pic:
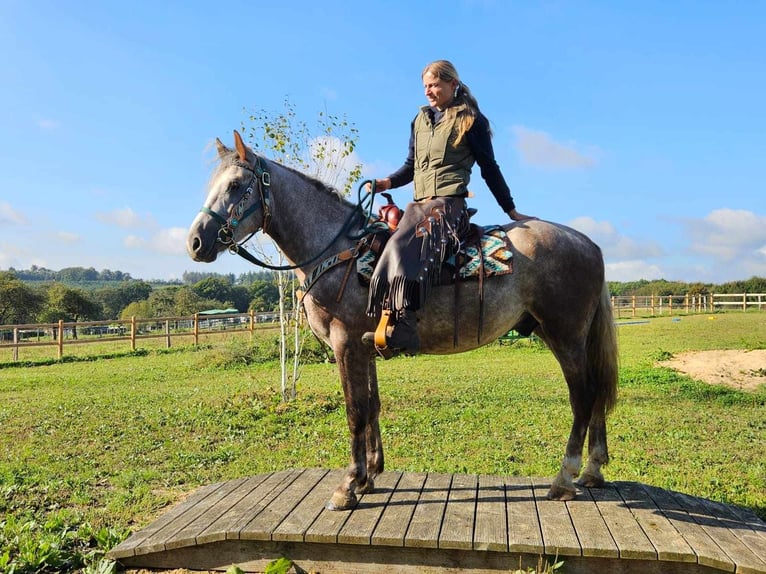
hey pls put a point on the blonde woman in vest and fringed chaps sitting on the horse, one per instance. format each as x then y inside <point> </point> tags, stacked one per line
<point>447,137</point>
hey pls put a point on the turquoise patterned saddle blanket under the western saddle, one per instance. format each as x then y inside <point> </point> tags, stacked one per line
<point>493,257</point>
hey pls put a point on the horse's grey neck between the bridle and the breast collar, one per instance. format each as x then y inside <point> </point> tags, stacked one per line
<point>305,220</point>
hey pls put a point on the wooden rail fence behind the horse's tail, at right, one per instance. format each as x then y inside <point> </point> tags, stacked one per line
<point>658,305</point>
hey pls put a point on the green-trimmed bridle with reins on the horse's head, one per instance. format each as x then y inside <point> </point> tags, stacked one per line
<point>260,181</point>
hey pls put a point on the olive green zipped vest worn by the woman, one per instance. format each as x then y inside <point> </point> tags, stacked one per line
<point>441,168</point>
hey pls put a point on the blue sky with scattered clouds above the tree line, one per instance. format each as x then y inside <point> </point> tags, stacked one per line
<point>639,123</point>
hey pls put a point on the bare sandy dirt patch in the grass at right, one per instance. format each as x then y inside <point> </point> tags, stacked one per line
<point>743,370</point>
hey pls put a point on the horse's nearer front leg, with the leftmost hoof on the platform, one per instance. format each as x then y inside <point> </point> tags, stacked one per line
<point>353,362</point>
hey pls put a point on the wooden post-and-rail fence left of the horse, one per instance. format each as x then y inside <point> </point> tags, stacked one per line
<point>194,327</point>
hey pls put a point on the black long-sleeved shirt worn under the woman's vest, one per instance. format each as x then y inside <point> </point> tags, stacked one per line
<point>479,142</point>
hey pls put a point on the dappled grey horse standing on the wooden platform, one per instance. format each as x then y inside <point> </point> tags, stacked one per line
<point>556,290</point>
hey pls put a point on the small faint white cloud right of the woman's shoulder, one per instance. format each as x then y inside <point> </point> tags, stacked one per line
<point>539,149</point>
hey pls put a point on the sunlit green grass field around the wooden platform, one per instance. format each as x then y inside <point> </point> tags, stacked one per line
<point>94,449</point>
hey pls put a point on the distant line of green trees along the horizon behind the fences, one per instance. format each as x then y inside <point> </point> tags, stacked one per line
<point>40,295</point>
